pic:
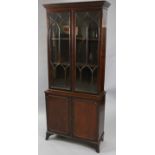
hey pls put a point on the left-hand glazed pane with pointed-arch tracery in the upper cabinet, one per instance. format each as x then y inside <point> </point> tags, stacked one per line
<point>59,37</point>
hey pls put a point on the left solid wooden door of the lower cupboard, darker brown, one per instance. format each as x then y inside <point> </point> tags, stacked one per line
<point>57,114</point>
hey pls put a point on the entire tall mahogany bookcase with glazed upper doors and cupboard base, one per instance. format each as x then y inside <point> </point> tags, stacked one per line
<point>75,99</point>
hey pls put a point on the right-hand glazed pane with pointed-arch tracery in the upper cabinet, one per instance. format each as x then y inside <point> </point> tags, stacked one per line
<point>87,40</point>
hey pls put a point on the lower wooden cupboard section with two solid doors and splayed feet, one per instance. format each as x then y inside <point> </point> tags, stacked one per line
<point>78,117</point>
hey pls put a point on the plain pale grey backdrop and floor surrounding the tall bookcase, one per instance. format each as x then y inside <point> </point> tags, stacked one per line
<point>64,146</point>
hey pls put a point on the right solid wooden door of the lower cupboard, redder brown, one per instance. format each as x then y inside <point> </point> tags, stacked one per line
<point>84,119</point>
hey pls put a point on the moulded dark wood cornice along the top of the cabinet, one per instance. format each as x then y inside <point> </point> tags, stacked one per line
<point>93,4</point>
